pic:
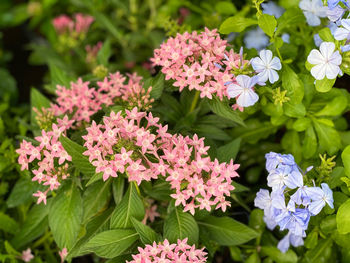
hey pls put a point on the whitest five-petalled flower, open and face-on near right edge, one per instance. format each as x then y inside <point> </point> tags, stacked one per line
<point>326,61</point>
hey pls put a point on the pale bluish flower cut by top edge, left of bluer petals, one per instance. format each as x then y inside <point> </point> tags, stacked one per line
<point>313,10</point>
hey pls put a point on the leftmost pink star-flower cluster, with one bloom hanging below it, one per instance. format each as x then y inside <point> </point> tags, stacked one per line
<point>50,160</point>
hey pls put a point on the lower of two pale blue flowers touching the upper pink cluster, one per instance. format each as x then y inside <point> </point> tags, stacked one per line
<point>243,90</point>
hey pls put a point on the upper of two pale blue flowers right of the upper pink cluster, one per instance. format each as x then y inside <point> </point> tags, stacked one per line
<point>266,66</point>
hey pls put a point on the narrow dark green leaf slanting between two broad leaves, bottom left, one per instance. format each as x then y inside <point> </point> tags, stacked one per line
<point>95,225</point>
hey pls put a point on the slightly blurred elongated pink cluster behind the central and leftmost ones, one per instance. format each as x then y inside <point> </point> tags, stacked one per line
<point>80,102</point>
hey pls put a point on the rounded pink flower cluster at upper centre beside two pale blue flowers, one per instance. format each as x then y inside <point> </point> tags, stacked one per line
<point>193,61</point>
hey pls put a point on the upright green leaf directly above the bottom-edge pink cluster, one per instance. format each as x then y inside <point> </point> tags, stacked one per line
<point>179,225</point>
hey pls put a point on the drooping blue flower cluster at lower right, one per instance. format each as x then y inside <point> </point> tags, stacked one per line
<point>291,203</point>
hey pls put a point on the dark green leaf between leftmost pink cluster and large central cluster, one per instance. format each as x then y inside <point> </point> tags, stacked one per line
<point>80,161</point>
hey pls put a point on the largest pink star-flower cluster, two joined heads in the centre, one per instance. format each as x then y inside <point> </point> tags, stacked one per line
<point>140,147</point>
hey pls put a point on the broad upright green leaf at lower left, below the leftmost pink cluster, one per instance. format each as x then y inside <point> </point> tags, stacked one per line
<point>65,217</point>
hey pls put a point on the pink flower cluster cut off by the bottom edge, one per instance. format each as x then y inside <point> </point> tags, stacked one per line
<point>170,253</point>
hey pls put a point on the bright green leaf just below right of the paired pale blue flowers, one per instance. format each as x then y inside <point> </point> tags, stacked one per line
<point>293,85</point>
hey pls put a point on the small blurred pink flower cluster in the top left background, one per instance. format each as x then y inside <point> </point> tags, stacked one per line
<point>64,24</point>
